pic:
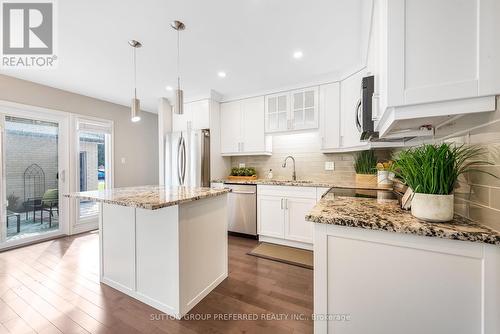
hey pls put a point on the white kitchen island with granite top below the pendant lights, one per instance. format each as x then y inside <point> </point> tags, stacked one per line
<point>165,246</point>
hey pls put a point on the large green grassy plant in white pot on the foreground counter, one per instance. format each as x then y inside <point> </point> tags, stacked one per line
<point>432,171</point>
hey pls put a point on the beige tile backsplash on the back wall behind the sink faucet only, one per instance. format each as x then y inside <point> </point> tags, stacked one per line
<point>310,162</point>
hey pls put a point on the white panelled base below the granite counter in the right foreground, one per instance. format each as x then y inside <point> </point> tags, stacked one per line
<point>394,283</point>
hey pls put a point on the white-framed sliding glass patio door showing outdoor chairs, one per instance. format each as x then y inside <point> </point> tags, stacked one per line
<point>34,153</point>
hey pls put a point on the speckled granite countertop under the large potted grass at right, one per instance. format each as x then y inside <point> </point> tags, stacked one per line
<point>369,213</point>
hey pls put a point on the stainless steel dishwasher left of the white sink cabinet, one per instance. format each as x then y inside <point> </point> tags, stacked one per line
<point>242,209</point>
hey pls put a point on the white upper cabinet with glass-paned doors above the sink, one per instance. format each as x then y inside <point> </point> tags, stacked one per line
<point>294,110</point>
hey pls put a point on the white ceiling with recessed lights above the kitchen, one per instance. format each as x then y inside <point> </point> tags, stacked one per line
<point>251,40</point>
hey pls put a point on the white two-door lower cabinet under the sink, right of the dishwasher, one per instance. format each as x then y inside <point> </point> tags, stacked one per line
<point>281,212</point>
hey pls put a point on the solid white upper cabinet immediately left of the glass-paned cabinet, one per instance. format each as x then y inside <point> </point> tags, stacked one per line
<point>242,128</point>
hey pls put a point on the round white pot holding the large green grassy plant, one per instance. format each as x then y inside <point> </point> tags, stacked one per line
<point>432,208</point>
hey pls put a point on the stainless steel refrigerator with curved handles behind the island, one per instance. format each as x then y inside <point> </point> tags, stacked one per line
<point>187,158</point>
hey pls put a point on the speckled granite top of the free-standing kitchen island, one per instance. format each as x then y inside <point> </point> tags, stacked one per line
<point>149,197</point>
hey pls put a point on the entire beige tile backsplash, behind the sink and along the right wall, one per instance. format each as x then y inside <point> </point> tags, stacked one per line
<point>476,197</point>
